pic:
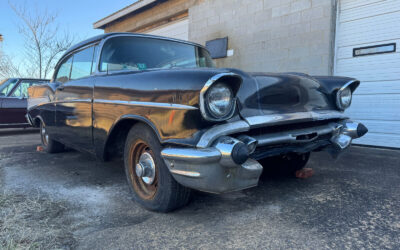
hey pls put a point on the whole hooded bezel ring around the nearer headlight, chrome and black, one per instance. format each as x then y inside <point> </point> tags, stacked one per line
<point>230,80</point>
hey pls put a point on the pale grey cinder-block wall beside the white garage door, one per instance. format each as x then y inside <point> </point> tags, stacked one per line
<point>269,35</point>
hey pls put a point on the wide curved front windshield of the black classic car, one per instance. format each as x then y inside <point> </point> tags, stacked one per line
<point>139,53</point>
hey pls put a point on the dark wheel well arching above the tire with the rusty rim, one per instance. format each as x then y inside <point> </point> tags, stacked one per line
<point>116,140</point>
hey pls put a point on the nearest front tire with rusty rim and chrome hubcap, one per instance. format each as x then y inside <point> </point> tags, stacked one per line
<point>149,179</point>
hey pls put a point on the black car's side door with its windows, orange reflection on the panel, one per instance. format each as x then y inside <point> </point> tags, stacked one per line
<point>74,100</point>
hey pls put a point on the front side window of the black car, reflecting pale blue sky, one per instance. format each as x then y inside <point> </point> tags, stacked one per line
<point>82,63</point>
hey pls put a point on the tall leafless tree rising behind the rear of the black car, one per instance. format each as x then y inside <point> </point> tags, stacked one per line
<point>44,42</point>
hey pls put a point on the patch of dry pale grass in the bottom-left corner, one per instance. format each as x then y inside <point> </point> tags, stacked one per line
<point>34,222</point>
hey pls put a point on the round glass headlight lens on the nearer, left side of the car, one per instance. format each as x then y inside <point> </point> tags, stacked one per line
<point>220,100</point>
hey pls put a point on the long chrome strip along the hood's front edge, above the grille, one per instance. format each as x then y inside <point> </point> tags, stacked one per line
<point>279,119</point>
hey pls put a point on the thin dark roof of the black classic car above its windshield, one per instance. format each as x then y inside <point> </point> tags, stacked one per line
<point>105,35</point>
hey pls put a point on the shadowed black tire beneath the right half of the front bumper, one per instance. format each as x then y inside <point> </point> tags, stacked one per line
<point>286,164</point>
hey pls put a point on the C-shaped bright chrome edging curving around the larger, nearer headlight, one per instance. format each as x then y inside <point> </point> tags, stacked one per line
<point>203,91</point>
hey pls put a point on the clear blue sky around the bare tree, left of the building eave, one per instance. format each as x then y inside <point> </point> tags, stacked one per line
<point>75,16</point>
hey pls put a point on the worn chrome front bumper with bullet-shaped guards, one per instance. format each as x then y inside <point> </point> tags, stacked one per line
<point>225,165</point>
